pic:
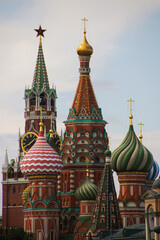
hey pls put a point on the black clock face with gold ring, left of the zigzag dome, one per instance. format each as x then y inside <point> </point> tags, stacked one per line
<point>28,140</point>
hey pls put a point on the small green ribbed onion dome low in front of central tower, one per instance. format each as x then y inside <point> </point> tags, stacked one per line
<point>87,190</point>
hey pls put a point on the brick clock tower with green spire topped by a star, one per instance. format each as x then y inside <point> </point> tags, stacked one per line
<point>13,182</point>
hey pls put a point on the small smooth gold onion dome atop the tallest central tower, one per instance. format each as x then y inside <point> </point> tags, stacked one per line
<point>84,48</point>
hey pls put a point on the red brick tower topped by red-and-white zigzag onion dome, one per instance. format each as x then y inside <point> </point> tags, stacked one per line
<point>41,165</point>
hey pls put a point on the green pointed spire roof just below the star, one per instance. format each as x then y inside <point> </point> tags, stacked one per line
<point>40,79</point>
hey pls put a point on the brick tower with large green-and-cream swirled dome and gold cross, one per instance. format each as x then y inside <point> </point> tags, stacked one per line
<point>131,160</point>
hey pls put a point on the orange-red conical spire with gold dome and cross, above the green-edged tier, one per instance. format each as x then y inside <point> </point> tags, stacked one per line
<point>85,105</point>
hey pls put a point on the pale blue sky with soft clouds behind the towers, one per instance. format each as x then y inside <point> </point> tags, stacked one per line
<point>125,36</point>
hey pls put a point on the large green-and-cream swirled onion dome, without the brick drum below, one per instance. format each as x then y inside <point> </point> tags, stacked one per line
<point>131,155</point>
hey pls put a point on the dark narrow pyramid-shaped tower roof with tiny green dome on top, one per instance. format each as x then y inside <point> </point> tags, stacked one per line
<point>106,214</point>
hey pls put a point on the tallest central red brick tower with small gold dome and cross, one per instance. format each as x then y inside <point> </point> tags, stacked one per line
<point>84,138</point>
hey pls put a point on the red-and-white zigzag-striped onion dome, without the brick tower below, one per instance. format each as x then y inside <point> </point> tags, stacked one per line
<point>41,159</point>
